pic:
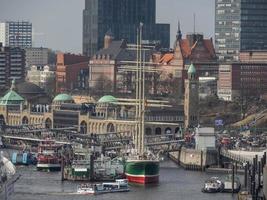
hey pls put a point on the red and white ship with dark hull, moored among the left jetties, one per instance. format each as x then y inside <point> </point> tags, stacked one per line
<point>48,157</point>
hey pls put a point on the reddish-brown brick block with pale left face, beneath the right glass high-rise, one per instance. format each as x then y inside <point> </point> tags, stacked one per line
<point>246,78</point>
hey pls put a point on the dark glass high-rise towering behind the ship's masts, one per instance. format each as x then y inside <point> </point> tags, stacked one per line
<point>121,17</point>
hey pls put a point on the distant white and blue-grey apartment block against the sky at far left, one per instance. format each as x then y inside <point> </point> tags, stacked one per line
<point>16,33</point>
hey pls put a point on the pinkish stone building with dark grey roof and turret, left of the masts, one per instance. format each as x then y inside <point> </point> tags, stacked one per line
<point>104,67</point>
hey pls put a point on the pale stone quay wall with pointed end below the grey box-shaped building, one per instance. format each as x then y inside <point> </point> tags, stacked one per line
<point>192,159</point>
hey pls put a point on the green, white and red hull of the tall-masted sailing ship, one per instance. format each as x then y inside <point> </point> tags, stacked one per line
<point>142,171</point>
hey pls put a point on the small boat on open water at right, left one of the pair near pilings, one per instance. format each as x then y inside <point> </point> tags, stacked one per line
<point>213,185</point>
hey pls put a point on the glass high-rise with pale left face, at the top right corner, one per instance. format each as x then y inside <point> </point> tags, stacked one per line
<point>240,25</point>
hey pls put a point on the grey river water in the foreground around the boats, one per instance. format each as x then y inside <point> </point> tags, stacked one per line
<point>175,184</point>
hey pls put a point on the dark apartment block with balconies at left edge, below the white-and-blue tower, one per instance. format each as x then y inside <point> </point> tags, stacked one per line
<point>12,65</point>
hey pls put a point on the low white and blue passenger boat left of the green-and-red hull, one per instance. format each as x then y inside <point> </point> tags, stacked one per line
<point>120,185</point>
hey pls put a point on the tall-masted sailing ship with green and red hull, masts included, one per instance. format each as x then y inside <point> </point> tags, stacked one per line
<point>141,167</point>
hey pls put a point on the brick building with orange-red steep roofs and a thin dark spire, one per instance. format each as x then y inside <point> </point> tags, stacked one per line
<point>192,49</point>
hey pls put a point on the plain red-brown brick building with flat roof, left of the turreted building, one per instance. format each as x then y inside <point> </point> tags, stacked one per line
<point>71,72</point>
